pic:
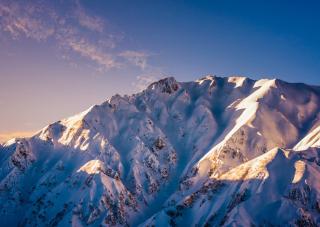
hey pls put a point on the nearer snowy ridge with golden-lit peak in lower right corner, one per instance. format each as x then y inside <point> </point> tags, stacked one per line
<point>277,188</point>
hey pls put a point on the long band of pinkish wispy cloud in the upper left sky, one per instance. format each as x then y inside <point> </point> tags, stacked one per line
<point>74,30</point>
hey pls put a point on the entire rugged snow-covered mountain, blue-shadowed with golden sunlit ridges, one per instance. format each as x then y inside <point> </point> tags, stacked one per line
<point>217,151</point>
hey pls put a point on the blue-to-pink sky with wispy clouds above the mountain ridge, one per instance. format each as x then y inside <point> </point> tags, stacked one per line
<point>58,58</point>
